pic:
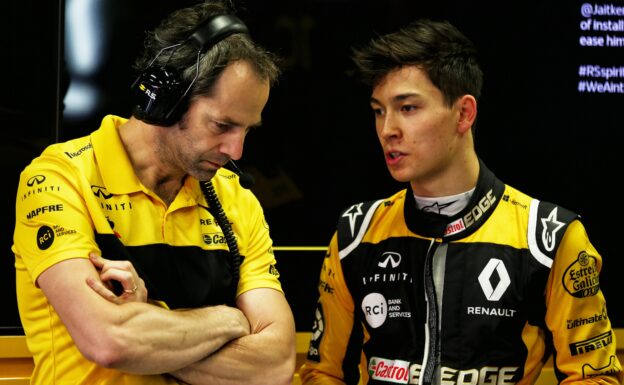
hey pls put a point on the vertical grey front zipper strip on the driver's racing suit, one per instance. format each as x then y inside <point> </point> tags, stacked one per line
<point>431,357</point>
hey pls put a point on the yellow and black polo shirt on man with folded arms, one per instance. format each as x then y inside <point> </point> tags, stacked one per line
<point>82,196</point>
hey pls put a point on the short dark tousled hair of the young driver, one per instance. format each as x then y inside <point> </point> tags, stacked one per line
<point>437,47</point>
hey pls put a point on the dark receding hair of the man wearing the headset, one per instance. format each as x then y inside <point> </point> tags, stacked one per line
<point>176,27</point>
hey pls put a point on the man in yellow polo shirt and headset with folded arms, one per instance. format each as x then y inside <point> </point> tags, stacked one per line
<point>125,207</point>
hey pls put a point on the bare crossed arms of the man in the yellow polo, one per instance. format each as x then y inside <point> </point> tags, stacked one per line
<point>217,344</point>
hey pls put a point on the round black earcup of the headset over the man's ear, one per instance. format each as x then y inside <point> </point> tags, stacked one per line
<point>158,94</point>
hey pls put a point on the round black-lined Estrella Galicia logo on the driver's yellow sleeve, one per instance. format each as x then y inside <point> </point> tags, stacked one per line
<point>581,277</point>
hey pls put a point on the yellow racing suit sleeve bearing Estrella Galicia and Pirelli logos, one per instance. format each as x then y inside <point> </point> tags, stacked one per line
<point>576,314</point>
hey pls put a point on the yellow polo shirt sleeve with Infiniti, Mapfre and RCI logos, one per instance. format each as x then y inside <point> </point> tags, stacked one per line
<point>52,221</point>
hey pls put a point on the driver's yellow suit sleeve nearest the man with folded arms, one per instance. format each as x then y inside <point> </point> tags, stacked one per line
<point>333,323</point>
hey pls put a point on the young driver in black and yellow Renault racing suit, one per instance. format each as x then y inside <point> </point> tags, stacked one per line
<point>459,279</point>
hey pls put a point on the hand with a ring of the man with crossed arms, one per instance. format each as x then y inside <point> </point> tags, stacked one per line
<point>133,287</point>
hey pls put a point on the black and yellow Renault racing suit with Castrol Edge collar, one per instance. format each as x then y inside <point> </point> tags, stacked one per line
<point>482,297</point>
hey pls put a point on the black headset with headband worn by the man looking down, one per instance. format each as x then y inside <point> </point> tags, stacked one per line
<point>161,96</point>
